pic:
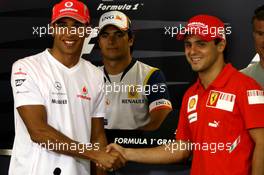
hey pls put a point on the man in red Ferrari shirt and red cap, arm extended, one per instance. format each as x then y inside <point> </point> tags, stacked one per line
<point>222,114</point>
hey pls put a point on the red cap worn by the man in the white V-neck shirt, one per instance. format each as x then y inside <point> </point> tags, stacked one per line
<point>72,9</point>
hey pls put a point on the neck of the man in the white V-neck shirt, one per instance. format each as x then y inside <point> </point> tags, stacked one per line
<point>68,60</point>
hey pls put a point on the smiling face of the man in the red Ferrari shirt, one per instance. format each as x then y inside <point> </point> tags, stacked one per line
<point>201,55</point>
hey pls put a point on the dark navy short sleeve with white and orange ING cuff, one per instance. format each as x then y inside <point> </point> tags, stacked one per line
<point>157,92</point>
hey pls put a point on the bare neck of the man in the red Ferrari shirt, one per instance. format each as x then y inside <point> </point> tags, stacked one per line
<point>208,76</point>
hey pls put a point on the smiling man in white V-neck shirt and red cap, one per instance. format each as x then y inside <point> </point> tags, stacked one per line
<point>59,104</point>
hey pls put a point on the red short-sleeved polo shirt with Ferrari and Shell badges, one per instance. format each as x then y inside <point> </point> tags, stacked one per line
<point>216,121</point>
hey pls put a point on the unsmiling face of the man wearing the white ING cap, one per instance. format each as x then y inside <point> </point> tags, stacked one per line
<point>114,43</point>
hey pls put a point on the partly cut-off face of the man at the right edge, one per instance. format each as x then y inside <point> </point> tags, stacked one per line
<point>258,35</point>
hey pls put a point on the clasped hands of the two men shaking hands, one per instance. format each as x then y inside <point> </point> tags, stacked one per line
<point>112,158</point>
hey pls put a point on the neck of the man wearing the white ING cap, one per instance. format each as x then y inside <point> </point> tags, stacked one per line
<point>114,67</point>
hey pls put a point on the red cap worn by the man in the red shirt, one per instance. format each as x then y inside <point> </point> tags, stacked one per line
<point>205,26</point>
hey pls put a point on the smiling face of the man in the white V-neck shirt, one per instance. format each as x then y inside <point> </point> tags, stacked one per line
<point>69,36</point>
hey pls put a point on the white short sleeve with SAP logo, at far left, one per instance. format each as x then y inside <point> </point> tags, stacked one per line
<point>25,89</point>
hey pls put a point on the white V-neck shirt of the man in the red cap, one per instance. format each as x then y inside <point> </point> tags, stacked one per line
<point>71,96</point>
